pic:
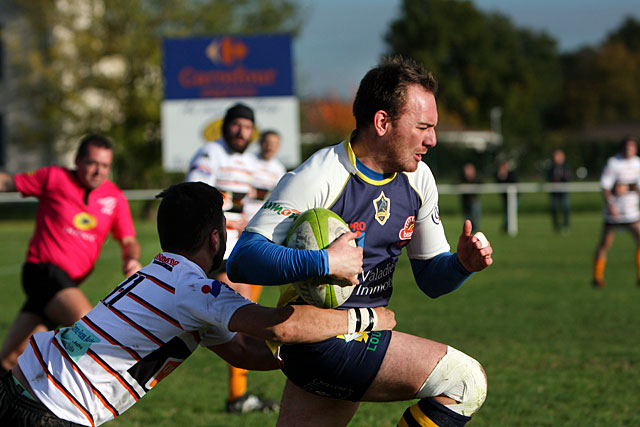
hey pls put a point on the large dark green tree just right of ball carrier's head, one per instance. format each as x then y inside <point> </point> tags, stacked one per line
<point>482,61</point>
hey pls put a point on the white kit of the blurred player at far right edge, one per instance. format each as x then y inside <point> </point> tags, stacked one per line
<point>622,177</point>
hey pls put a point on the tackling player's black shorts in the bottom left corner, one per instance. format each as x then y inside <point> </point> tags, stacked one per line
<point>21,411</point>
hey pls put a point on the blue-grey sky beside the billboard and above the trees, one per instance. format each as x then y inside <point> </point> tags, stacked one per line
<point>342,39</point>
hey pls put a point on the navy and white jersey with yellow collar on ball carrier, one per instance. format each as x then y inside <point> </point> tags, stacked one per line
<point>388,214</point>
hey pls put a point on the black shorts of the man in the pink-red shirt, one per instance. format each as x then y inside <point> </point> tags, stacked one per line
<point>41,282</point>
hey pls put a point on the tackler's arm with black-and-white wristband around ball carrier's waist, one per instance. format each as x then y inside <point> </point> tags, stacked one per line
<point>304,323</point>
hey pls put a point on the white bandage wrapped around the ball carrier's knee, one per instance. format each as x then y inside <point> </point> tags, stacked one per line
<point>459,377</point>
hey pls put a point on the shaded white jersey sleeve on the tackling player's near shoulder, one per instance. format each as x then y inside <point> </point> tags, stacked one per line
<point>209,305</point>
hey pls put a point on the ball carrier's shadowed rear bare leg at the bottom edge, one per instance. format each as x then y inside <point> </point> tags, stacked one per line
<point>300,408</point>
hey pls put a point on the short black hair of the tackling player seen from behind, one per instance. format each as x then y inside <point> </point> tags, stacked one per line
<point>187,214</point>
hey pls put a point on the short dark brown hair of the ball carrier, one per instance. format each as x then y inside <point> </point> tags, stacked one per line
<point>385,88</point>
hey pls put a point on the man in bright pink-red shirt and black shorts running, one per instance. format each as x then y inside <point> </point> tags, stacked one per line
<point>77,210</point>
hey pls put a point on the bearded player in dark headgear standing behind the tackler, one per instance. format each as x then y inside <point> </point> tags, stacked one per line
<point>225,164</point>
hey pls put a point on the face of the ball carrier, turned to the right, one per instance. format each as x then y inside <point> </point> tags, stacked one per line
<point>413,133</point>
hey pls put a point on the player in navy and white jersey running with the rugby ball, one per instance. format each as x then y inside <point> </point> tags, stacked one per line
<point>376,181</point>
